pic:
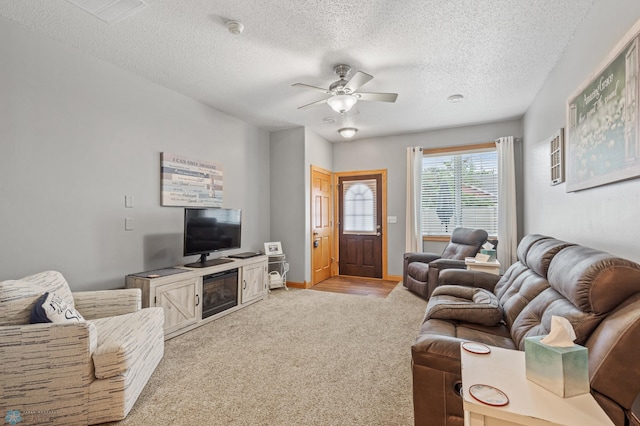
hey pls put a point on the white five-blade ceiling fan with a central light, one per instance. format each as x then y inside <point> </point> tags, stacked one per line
<point>344,94</point>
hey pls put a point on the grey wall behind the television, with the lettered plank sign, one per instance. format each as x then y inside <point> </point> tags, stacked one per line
<point>77,135</point>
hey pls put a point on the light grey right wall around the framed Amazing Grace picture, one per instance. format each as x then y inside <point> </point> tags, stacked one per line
<point>604,217</point>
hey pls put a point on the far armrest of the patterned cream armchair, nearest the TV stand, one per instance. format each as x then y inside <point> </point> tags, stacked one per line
<point>107,303</point>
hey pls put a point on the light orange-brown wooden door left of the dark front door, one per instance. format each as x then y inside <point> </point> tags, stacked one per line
<point>321,224</point>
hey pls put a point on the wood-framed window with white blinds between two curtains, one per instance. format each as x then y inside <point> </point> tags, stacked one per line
<point>460,188</point>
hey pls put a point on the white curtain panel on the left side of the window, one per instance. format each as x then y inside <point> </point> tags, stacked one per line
<point>414,199</point>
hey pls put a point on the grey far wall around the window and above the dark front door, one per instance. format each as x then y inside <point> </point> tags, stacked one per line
<point>390,153</point>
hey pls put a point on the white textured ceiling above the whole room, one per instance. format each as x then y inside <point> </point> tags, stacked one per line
<point>496,53</point>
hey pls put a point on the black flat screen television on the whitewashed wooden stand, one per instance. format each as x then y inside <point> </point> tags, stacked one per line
<point>209,230</point>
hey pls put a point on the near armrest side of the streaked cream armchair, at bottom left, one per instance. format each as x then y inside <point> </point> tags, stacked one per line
<point>47,368</point>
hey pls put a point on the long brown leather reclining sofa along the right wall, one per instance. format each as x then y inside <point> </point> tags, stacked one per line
<point>597,292</point>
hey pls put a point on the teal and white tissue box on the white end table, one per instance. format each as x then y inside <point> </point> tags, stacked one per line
<point>563,371</point>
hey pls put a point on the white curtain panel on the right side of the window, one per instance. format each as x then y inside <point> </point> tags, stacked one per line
<point>507,211</point>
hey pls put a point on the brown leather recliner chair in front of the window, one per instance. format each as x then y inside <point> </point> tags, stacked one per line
<point>420,270</point>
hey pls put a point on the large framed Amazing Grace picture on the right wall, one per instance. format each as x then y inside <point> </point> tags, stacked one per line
<point>602,140</point>
